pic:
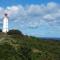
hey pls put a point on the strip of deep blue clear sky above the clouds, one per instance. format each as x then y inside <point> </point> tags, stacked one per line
<point>5,3</point>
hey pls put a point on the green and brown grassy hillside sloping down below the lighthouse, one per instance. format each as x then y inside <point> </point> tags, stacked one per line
<point>16,46</point>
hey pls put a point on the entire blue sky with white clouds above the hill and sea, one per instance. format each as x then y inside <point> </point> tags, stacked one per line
<point>39,18</point>
